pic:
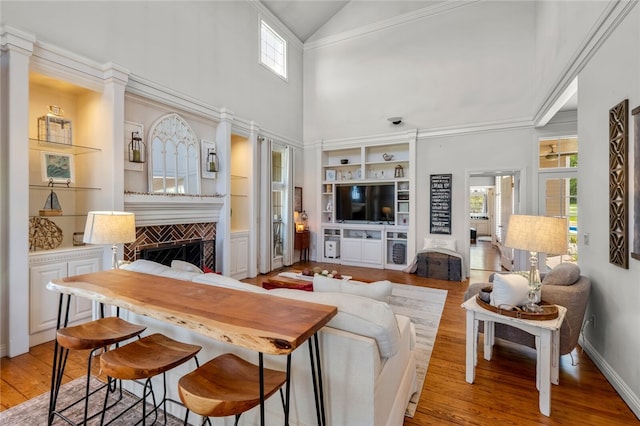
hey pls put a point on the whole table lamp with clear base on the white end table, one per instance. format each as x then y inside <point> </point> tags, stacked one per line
<point>536,234</point>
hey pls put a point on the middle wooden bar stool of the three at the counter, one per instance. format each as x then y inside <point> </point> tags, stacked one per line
<point>143,359</point>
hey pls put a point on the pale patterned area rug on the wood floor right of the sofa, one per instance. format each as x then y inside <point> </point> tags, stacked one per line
<point>424,306</point>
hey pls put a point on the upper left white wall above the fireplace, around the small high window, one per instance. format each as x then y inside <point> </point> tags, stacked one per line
<point>206,50</point>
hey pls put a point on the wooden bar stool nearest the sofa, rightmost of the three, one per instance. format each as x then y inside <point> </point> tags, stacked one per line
<point>228,385</point>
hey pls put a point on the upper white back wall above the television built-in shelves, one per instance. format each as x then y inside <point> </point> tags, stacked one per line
<point>474,64</point>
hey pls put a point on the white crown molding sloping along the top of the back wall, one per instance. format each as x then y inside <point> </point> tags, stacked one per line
<point>405,18</point>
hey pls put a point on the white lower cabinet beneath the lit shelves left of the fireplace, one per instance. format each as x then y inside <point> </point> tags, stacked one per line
<point>43,304</point>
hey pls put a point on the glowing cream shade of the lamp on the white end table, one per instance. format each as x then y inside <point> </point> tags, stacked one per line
<point>541,234</point>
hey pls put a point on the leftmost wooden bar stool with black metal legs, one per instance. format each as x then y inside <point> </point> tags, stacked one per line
<point>96,335</point>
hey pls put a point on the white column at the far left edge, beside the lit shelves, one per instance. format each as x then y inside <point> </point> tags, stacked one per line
<point>17,48</point>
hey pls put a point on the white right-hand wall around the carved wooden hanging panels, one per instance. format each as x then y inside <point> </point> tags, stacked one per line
<point>609,77</point>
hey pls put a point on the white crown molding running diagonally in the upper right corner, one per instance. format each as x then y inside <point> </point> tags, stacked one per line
<point>611,17</point>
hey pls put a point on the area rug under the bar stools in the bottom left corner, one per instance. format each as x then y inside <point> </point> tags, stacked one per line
<point>34,411</point>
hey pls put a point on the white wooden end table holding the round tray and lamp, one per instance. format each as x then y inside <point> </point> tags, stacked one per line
<point>547,345</point>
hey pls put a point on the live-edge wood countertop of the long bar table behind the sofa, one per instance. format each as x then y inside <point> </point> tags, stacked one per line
<point>257,321</point>
